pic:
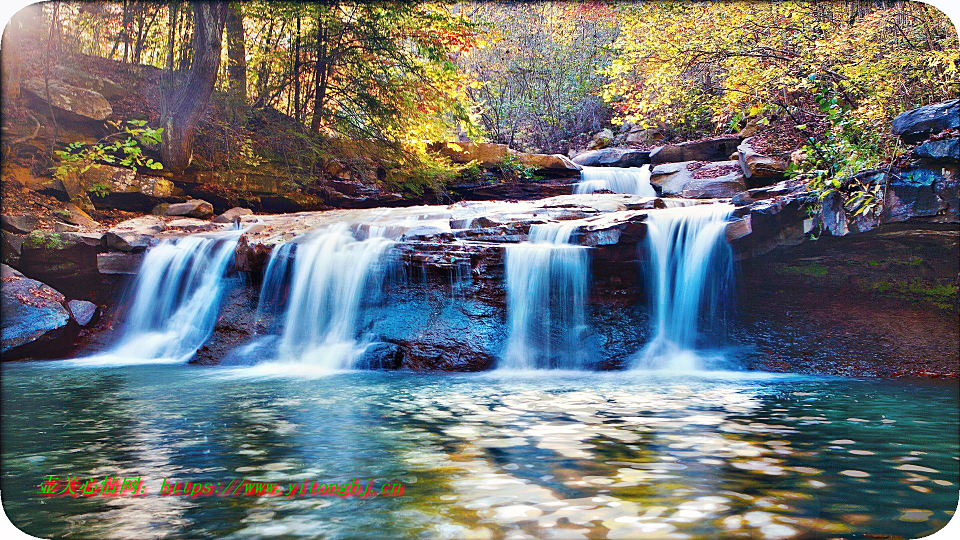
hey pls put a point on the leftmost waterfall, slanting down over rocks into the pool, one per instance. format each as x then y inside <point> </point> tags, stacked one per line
<point>175,299</point>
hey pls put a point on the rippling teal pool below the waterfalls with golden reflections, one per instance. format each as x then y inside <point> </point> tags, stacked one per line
<point>539,455</point>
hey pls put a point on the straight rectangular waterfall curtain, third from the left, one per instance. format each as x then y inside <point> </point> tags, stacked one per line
<point>546,296</point>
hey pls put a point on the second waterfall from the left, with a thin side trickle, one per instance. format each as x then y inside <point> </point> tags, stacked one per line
<point>331,279</point>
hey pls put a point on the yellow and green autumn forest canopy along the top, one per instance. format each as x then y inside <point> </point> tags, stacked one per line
<point>539,76</point>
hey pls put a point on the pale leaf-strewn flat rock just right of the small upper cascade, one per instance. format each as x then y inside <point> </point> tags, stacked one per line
<point>697,180</point>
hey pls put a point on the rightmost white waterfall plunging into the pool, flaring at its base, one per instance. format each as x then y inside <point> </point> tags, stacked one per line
<point>689,273</point>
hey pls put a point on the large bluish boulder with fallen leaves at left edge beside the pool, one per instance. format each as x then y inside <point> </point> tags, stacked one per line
<point>33,314</point>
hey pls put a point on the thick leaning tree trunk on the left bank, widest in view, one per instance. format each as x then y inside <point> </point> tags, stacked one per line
<point>183,106</point>
